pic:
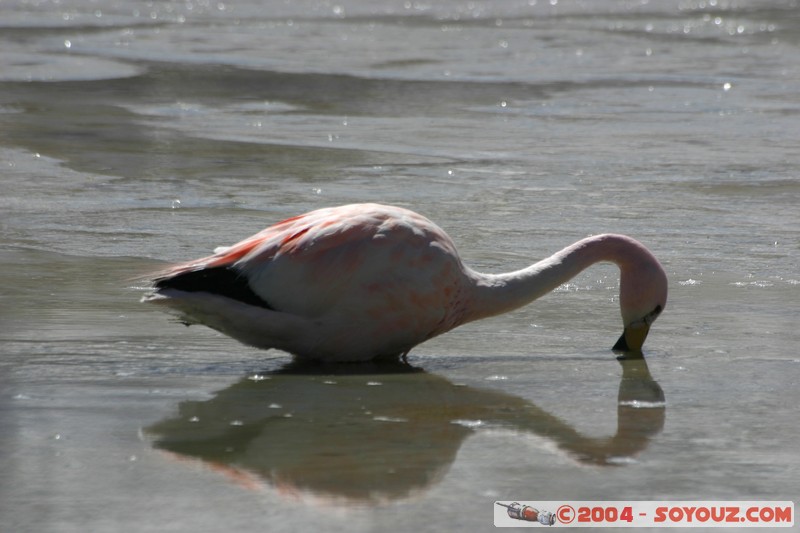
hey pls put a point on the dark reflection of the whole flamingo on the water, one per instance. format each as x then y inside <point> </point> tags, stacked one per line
<point>382,433</point>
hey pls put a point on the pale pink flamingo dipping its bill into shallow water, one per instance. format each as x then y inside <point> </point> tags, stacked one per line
<point>369,281</point>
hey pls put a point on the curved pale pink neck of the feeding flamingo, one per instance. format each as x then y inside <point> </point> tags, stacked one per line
<point>498,293</point>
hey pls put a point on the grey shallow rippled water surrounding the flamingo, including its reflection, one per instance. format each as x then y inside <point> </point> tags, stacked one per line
<point>140,132</point>
